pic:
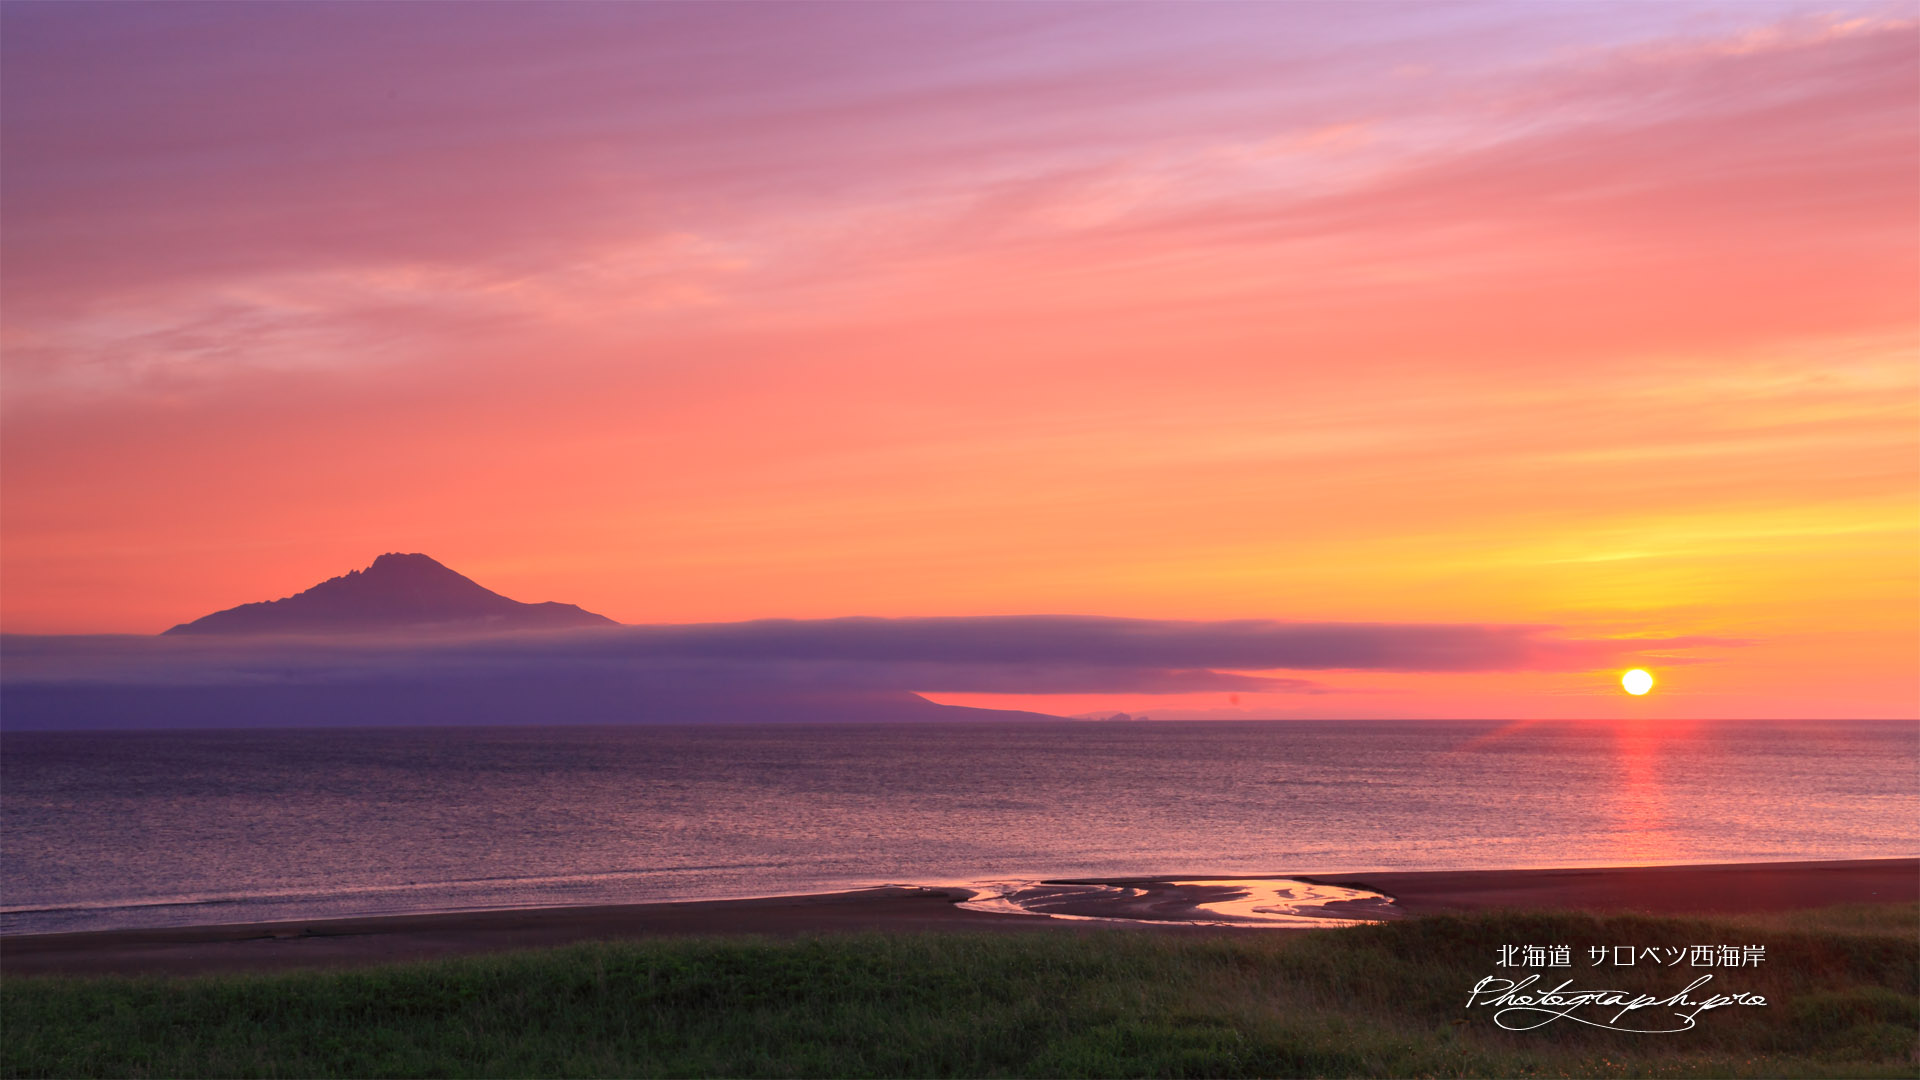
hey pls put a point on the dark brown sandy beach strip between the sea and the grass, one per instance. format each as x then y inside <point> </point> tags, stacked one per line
<point>1712,889</point>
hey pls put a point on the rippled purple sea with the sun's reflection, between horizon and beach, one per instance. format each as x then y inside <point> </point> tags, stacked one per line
<point>222,827</point>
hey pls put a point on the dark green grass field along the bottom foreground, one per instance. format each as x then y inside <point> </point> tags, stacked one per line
<point>1844,1000</point>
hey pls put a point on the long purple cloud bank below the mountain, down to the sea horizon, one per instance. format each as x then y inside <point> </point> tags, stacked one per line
<point>838,670</point>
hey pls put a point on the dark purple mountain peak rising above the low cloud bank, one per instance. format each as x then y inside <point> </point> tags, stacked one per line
<point>396,593</point>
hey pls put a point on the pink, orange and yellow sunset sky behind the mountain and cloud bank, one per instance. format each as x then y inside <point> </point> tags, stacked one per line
<point>1600,318</point>
